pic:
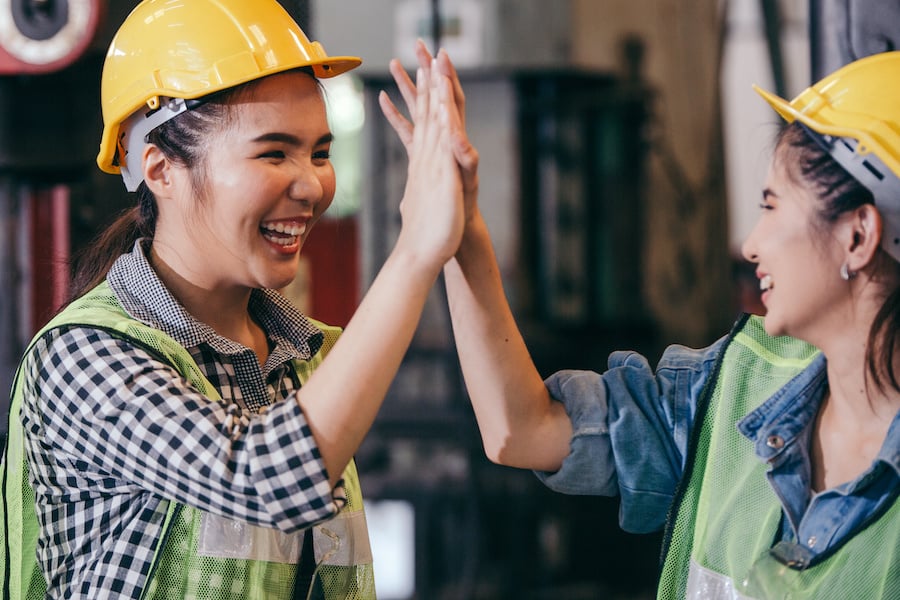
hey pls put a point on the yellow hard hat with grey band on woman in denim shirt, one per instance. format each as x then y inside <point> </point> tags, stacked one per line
<point>854,113</point>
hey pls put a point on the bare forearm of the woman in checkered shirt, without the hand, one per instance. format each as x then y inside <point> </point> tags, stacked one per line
<point>344,394</point>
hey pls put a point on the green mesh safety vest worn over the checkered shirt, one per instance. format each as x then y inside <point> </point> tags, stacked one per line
<point>178,571</point>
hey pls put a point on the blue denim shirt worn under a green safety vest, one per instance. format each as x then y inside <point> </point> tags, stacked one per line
<point>631,427</point>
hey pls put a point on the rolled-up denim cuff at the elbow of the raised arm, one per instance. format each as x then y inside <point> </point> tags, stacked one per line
<point>590,466</point>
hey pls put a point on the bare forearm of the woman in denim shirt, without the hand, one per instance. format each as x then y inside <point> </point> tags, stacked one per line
<point>520,425</point>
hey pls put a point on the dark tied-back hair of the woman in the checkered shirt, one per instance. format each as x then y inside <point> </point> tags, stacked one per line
<point>182,140</point>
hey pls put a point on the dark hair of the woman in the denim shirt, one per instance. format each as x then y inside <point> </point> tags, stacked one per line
<point>839,192</point>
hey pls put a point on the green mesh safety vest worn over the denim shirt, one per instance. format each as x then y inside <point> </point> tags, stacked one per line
<point>728,516</point>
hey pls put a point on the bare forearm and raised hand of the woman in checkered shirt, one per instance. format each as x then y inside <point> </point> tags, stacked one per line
<point>343,395</point>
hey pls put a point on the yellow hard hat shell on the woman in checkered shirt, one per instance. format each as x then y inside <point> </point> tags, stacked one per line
<point>190,48</point>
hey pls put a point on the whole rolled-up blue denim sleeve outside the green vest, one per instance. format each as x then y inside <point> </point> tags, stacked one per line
<point>631,427</point>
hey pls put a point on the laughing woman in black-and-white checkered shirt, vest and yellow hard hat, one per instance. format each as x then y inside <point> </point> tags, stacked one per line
<point>181,424</point>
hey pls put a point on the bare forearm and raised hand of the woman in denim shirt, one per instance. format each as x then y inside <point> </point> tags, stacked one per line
<point>520,424</point>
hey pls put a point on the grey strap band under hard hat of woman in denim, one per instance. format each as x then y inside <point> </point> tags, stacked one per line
<point>870,171</point>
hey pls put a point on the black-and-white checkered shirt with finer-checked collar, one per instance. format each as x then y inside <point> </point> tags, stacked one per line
<point>111,431</point>
